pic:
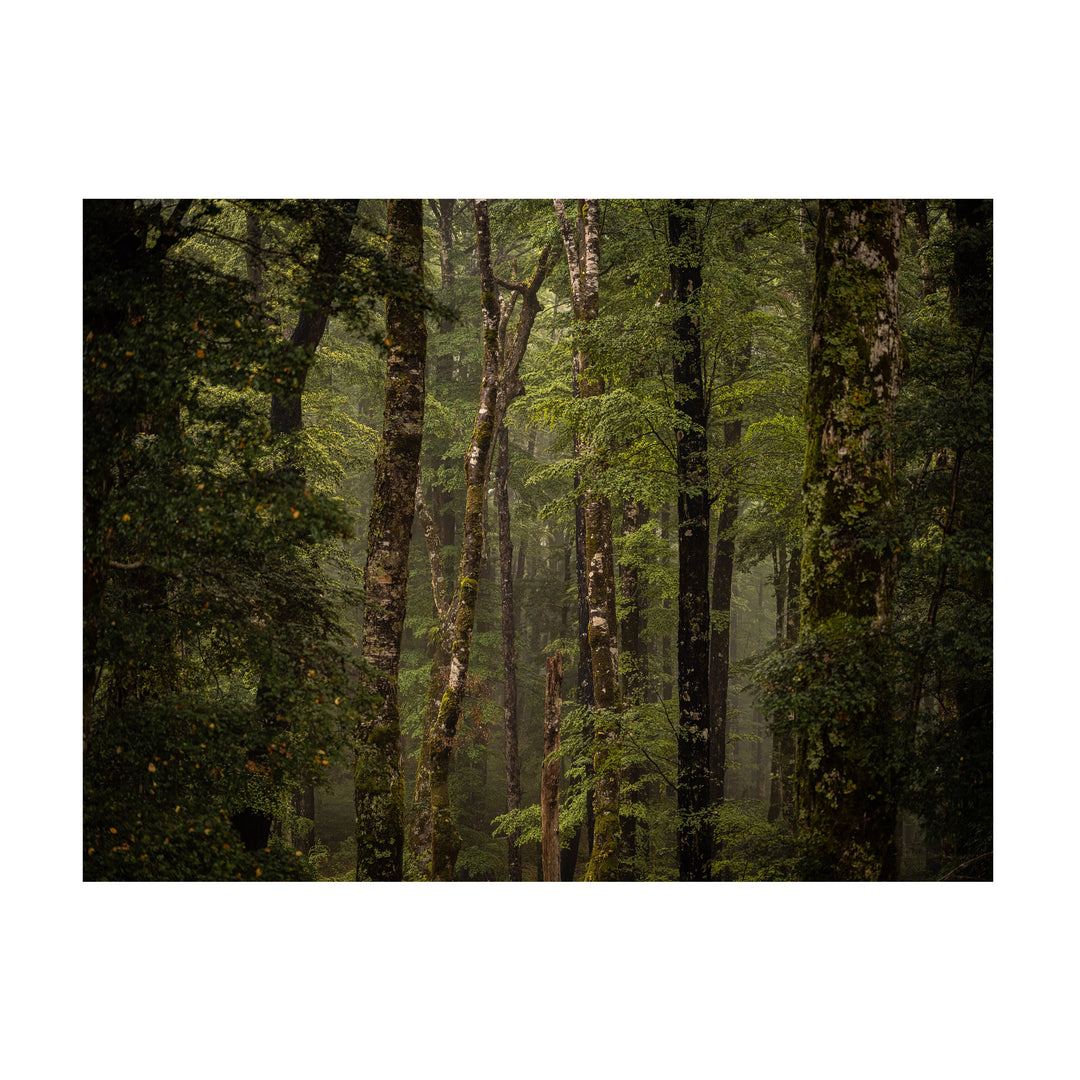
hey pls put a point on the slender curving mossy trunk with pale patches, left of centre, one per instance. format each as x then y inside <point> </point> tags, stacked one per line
<point>445,842</point>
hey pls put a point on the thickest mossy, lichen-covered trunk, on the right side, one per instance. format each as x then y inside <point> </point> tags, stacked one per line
<point>846,788</point>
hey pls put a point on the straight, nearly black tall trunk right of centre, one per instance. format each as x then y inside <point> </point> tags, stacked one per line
<point>694,831</point>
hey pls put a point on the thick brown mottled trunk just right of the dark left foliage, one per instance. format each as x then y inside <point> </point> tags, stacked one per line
<point>380,791</point>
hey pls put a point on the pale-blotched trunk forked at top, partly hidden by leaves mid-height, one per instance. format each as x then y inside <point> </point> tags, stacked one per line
<point>583,255</point>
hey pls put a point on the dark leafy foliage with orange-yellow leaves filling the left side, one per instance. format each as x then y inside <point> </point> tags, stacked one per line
<point>219,670</point>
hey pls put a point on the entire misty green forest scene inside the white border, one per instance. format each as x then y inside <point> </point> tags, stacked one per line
<point>561,541</point>
